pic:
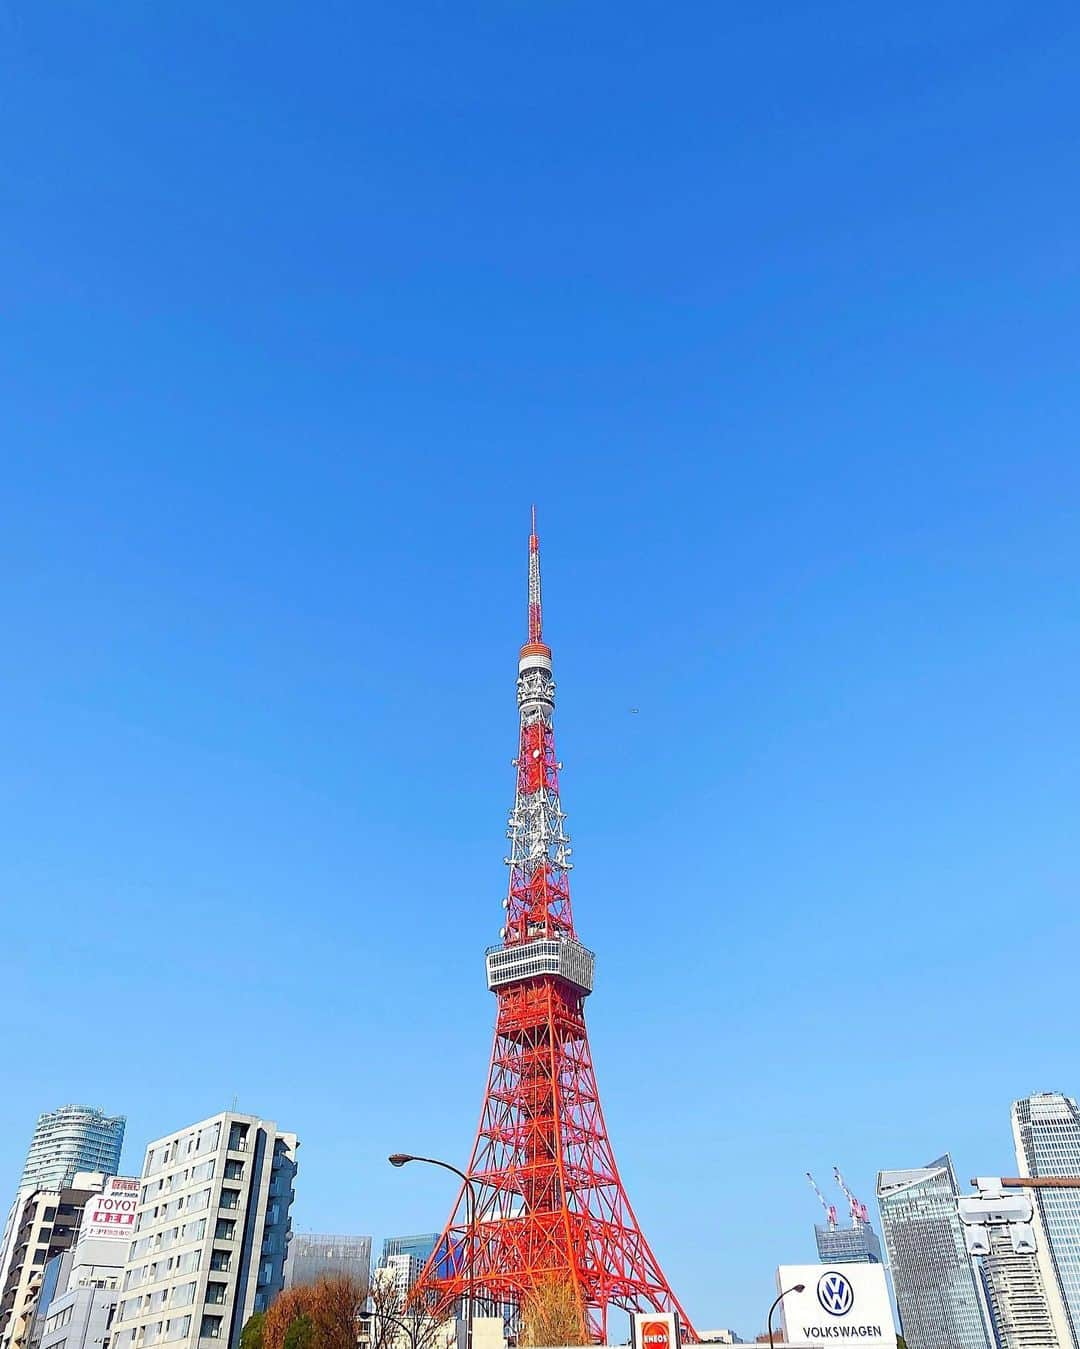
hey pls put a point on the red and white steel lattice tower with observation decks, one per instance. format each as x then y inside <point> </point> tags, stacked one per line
<point>549,1201</point>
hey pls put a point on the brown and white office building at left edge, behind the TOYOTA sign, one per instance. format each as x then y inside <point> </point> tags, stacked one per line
<point>45,1226</point>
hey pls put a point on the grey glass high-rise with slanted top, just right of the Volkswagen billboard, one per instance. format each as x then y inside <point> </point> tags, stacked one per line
<point>938,1293</point>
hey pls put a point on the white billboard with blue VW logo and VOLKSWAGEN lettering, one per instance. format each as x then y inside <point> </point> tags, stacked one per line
<point>838,1302</point>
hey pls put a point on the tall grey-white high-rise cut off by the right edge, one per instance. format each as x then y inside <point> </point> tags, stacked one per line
<point>1047,1134</point>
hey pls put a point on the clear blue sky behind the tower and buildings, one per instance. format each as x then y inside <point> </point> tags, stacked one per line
<point>773,310</point>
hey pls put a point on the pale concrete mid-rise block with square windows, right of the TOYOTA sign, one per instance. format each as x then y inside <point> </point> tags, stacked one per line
<point>211,1236</point>
